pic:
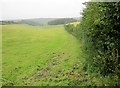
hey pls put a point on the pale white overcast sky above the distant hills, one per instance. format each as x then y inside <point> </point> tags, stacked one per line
<point>21,9</point>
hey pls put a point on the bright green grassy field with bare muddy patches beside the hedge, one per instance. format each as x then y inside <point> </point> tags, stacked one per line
<point>42,56</point>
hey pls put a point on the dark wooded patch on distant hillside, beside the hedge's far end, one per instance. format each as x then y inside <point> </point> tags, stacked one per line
<point>61,21</point>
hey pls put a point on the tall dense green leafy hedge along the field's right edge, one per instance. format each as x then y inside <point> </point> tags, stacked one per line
<point>99,30</point>
